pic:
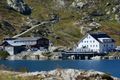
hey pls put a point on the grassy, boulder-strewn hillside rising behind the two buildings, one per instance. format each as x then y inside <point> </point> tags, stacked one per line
<point>76,17</point>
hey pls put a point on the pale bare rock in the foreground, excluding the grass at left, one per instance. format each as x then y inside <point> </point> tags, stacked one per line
<point>69,74</point>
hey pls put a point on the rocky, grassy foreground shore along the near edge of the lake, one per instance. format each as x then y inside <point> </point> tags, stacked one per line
<point>58,74</point>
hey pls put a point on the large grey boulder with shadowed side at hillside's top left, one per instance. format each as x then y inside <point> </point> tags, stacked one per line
<point>19,6</point>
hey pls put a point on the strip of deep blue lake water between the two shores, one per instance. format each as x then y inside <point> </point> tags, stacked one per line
<point>108,66</point>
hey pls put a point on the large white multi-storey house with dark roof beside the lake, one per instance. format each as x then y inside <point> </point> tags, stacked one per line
<point>96,42</point>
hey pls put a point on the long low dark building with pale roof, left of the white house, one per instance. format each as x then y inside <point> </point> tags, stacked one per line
<point>17,45</point>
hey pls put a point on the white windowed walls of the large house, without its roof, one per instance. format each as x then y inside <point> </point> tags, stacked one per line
<point>93,45</point>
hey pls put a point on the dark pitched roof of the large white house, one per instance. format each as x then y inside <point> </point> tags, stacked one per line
<point>100,35</point>
